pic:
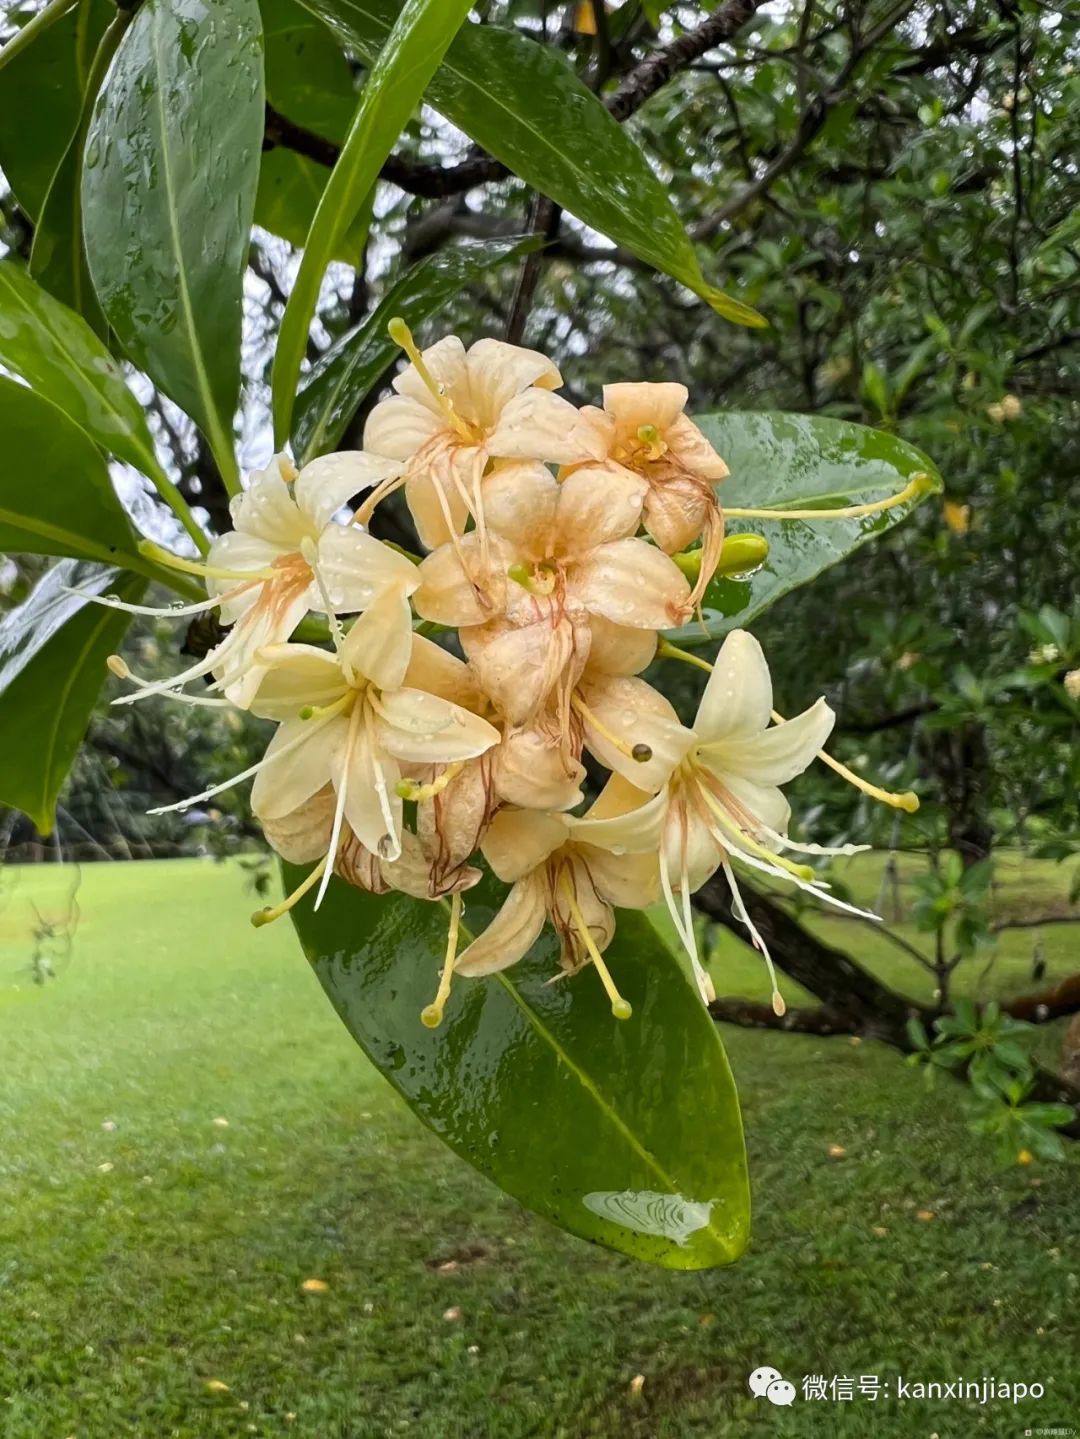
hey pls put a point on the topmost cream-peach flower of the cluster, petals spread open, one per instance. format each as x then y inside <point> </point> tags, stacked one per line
<point>455,412</point>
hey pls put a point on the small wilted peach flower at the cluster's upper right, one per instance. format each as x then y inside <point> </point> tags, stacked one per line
<point>644,430</point>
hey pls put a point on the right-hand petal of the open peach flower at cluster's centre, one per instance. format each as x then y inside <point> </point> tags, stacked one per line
<point>631,582</point>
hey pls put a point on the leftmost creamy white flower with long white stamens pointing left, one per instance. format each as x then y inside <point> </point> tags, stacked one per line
<point>285,558</point>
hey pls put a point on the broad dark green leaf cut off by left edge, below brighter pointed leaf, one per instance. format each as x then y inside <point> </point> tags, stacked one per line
<point>55,491</point>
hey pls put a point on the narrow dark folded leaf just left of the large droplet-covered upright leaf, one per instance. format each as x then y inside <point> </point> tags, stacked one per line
<point>58,257</point>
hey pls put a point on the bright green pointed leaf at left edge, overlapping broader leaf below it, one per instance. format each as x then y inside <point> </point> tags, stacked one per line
<point>58,353</point>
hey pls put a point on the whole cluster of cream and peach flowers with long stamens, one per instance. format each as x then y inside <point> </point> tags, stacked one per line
<point>553,536</point>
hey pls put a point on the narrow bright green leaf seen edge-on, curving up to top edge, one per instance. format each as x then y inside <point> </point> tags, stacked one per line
<point>395,87</point>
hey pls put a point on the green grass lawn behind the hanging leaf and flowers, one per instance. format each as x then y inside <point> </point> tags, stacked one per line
<point>189,1135</point>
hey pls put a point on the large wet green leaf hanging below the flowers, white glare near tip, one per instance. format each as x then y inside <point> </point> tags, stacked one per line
<point>626,1133</point>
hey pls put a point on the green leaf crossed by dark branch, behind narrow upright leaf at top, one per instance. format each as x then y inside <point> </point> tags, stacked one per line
<point>310,81</point>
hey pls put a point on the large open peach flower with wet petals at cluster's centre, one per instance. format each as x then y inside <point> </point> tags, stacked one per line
<point>554,559</point>
